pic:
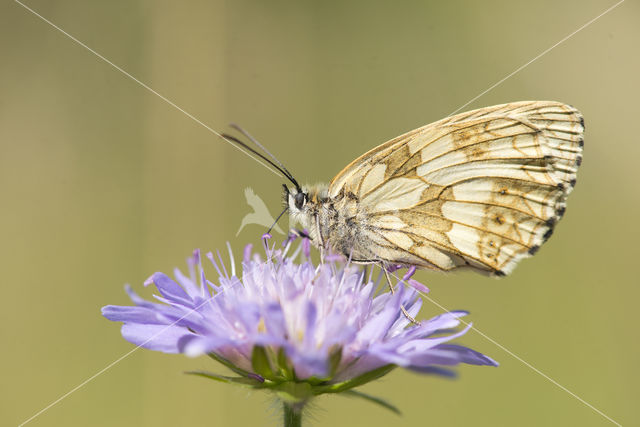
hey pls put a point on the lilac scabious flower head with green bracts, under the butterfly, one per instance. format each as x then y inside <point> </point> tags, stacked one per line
<point>294,327</point>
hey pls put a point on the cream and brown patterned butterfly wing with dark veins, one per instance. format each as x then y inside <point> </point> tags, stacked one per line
<point>481,189</point>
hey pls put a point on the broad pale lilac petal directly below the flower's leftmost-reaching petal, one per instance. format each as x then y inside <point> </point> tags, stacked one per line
<point>154,337</point>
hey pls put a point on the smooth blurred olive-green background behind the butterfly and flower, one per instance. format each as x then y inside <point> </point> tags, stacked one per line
<point>103,183</point>
